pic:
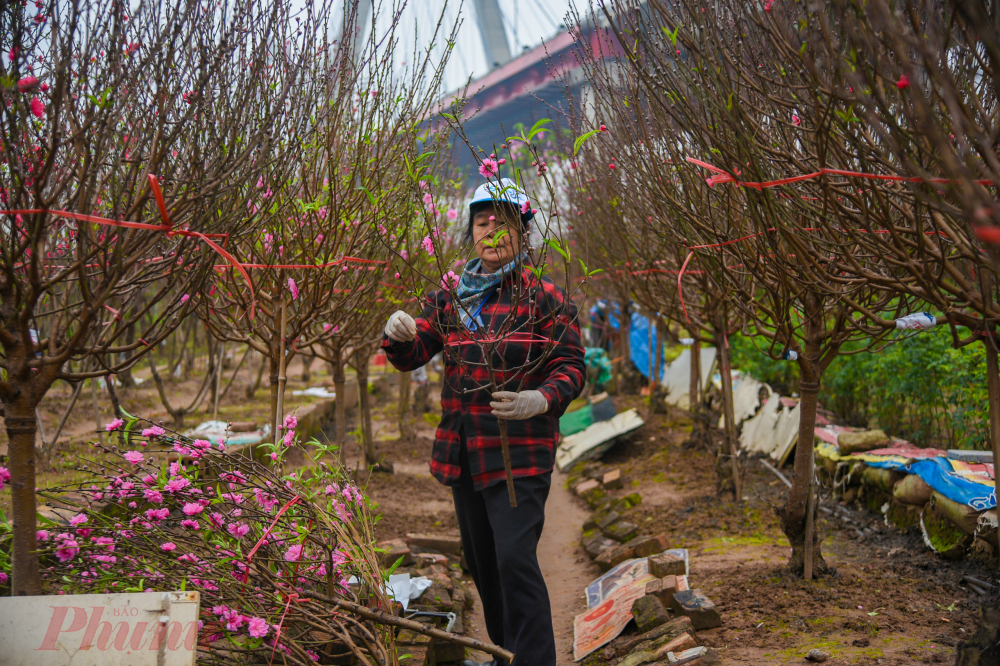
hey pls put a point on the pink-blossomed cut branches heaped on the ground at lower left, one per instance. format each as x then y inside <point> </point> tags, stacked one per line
<point>178,523</point>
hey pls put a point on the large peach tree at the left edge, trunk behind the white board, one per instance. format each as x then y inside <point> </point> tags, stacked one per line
<point>97,99</point>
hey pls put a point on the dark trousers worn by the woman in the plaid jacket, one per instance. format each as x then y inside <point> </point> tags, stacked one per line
<point>499,543</point>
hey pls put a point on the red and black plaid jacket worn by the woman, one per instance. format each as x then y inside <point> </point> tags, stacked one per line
<point>545,314</point>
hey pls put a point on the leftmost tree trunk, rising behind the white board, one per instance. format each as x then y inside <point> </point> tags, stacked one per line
<point>21,424</point>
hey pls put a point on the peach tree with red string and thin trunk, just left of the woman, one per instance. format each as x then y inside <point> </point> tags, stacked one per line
<point>318,265</point>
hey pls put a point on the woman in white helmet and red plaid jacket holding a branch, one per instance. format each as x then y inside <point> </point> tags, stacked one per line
<point>539,370</point>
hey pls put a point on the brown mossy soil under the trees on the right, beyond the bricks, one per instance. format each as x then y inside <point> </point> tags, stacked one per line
<point>891,601</point>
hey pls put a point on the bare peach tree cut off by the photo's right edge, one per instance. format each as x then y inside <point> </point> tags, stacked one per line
<point>924,101</point>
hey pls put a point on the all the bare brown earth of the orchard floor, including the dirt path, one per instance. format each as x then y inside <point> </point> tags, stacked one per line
<point>890,601</point>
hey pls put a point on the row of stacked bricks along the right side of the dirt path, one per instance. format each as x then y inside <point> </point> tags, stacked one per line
<point>669,614</point>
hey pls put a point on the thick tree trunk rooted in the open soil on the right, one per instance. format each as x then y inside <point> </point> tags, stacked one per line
<point>796,510</point>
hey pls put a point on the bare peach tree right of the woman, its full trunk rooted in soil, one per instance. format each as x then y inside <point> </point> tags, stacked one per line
<point>729,98</point>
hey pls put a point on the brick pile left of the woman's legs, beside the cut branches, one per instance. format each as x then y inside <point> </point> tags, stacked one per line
<point>438,558</point>
